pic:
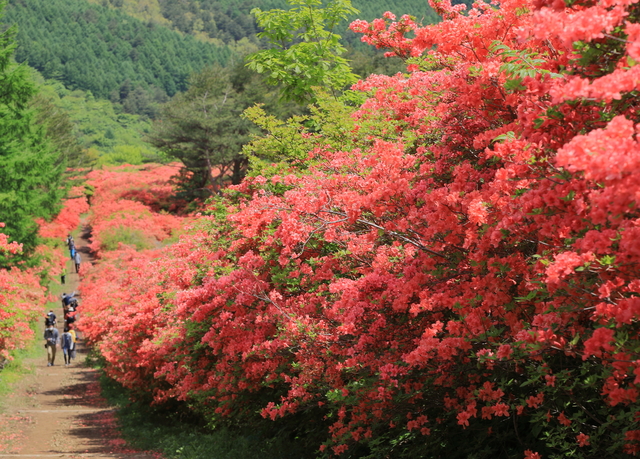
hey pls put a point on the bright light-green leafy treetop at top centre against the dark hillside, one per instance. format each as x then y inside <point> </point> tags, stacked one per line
<point>305,52</point>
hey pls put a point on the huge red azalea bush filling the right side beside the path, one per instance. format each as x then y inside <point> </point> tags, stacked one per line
<point>460,279</point>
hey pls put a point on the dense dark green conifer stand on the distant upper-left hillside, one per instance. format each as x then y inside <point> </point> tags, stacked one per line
<point>95,48</point>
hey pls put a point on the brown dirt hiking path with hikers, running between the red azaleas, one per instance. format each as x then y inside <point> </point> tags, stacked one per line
<point>58,411</point>
